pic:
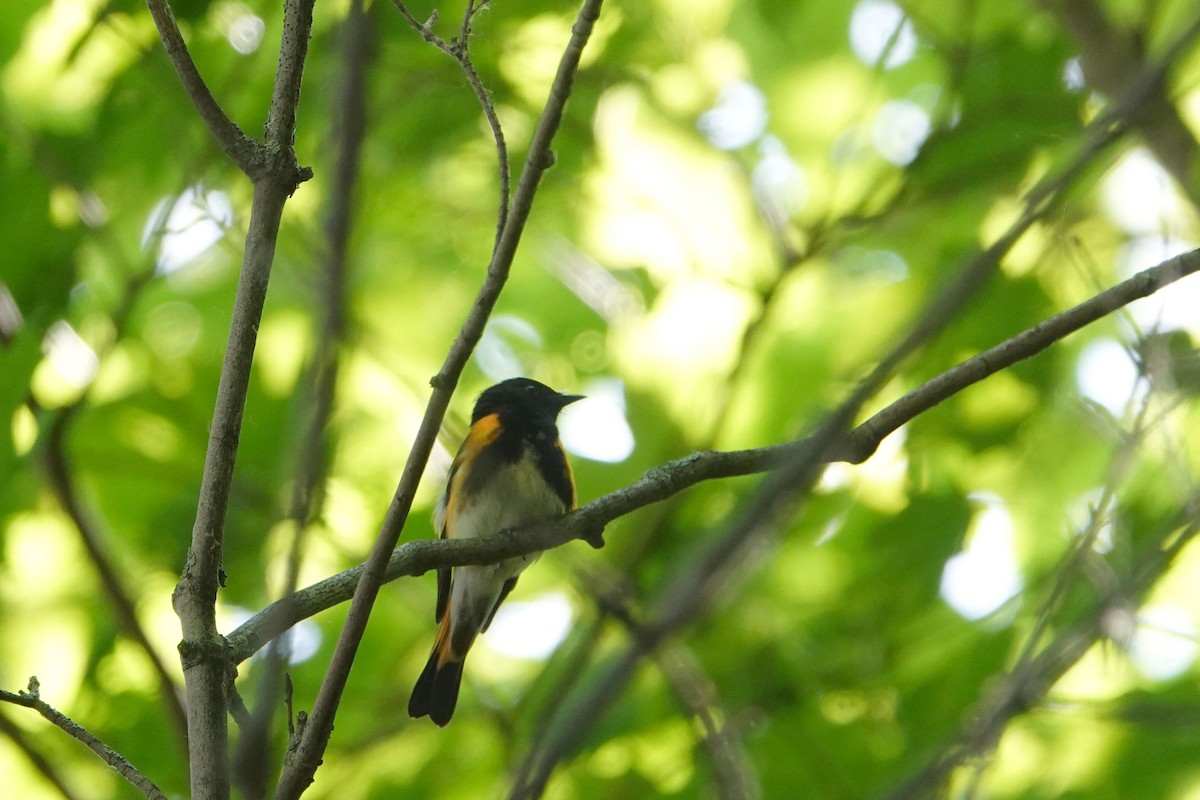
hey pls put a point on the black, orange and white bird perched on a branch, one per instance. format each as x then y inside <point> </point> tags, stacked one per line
<point>512,470</point>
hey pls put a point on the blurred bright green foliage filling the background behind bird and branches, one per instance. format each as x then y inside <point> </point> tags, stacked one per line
<point>751,203</point>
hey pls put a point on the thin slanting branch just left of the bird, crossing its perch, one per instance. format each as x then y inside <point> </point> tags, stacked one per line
<point>305,756</point>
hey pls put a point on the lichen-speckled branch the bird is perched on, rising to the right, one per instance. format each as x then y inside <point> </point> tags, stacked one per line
<point>663,482</point>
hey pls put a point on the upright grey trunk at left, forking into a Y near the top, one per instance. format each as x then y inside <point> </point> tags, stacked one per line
<point>208,670</point>
